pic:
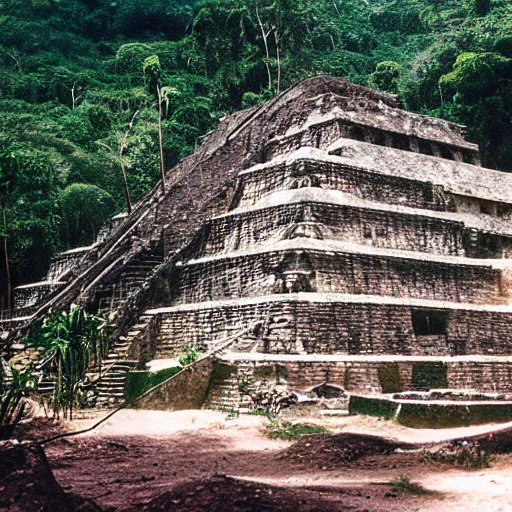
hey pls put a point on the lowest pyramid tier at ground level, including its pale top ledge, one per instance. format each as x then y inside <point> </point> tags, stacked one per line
<point>366,375</point>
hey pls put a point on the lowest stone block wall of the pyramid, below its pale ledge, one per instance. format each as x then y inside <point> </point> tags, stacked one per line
<point>369,377</point>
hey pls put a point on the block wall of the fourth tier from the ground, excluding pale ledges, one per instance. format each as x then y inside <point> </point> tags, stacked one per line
<point>345,223</point>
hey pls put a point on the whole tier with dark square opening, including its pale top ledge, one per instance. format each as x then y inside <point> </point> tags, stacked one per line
<point>313,323</point>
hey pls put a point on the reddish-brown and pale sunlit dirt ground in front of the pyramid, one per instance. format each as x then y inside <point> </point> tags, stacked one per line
<point>203,461</point>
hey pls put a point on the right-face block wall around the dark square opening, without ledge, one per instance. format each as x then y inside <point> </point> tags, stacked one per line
<point>388,329</point>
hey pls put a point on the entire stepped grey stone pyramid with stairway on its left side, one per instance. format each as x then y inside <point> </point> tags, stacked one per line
<point>327,238</point>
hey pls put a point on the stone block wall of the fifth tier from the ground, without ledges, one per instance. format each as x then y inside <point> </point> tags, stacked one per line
<point>333,176</point>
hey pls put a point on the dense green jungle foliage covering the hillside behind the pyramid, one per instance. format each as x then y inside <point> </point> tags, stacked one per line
<point>74,72</point>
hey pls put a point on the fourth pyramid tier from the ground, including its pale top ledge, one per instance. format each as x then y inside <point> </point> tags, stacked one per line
<point>333,215</point>
